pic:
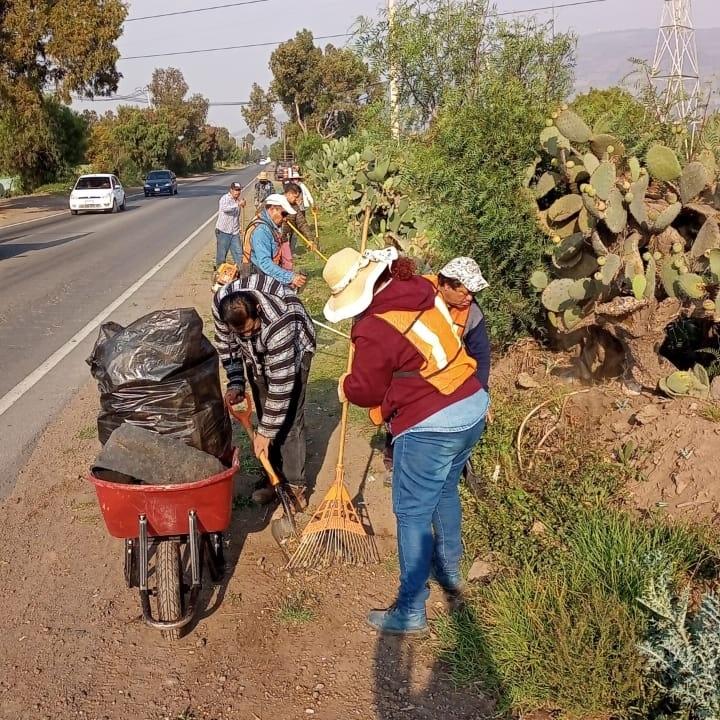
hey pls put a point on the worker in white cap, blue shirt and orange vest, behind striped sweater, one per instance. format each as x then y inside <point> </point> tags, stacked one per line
<point>263,243</point>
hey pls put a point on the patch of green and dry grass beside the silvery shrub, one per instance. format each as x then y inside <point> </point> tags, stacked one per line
<point>558,630</point>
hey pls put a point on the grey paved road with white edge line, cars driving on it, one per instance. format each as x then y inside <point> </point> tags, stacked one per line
<point>59,276</point>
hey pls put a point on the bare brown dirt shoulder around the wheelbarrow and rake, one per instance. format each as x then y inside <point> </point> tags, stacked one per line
<point>266,644</point>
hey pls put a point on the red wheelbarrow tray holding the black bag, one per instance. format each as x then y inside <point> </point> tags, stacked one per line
<point>166,507</point>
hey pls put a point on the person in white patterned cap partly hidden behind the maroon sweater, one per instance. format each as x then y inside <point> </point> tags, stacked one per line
<point>457,283</point>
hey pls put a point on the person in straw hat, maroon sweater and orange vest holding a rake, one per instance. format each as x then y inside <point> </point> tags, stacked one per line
<point>409,361</point>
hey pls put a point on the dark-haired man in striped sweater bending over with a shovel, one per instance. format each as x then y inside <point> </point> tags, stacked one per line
<point>265,337</point>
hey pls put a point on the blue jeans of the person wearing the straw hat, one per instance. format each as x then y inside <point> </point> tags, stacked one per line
<point>426,472</point>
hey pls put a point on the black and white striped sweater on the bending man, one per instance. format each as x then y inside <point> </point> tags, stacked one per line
<point>275,353</point>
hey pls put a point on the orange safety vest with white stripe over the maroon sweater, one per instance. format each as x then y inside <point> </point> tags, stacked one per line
<point>446,364</point>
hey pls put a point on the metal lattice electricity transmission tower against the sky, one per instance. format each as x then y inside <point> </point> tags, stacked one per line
<point>675,70</point>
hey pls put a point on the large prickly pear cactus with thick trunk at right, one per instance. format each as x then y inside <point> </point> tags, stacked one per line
<point>643,232</point>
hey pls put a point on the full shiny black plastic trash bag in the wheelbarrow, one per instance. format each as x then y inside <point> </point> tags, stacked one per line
<point>161,373</point>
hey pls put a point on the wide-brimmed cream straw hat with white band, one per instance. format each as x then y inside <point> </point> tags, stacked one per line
<point>351,278</point>
